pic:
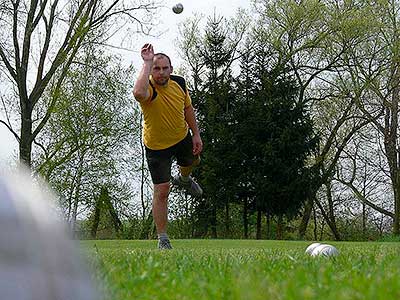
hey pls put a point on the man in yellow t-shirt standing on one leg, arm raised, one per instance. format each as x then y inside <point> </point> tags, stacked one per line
<point>168,115</point>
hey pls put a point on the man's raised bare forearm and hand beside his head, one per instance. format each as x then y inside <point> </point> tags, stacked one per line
<point>141,88</point>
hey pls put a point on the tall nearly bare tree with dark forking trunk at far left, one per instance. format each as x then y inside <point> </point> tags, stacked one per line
<point>40,41</point>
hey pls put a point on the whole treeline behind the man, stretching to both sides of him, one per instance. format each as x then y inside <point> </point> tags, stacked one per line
<point>297,103</point>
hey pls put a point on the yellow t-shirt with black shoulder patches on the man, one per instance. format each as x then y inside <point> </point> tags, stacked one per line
<point>164,123</point>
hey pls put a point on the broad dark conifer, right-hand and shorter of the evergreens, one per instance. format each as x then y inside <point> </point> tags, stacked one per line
<point>276,138</point>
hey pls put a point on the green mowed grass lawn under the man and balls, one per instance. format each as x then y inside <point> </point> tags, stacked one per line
<point>243,269</point>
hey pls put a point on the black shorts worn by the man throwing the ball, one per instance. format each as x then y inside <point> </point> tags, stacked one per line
<point>160,161</point>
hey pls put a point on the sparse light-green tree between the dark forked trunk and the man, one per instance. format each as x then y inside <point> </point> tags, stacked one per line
<point>89,134</point>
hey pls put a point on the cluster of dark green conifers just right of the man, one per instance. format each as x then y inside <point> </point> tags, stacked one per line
<point>256,132</point>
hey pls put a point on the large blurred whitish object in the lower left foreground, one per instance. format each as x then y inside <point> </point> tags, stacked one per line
<point>37,259</point>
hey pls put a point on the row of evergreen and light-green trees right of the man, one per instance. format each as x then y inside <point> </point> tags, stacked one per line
<point>298,107</point>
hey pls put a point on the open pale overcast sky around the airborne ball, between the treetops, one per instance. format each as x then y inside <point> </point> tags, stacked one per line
<point>165,43</point>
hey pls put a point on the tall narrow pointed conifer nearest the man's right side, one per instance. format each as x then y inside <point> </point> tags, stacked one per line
<point>213,99</point>
